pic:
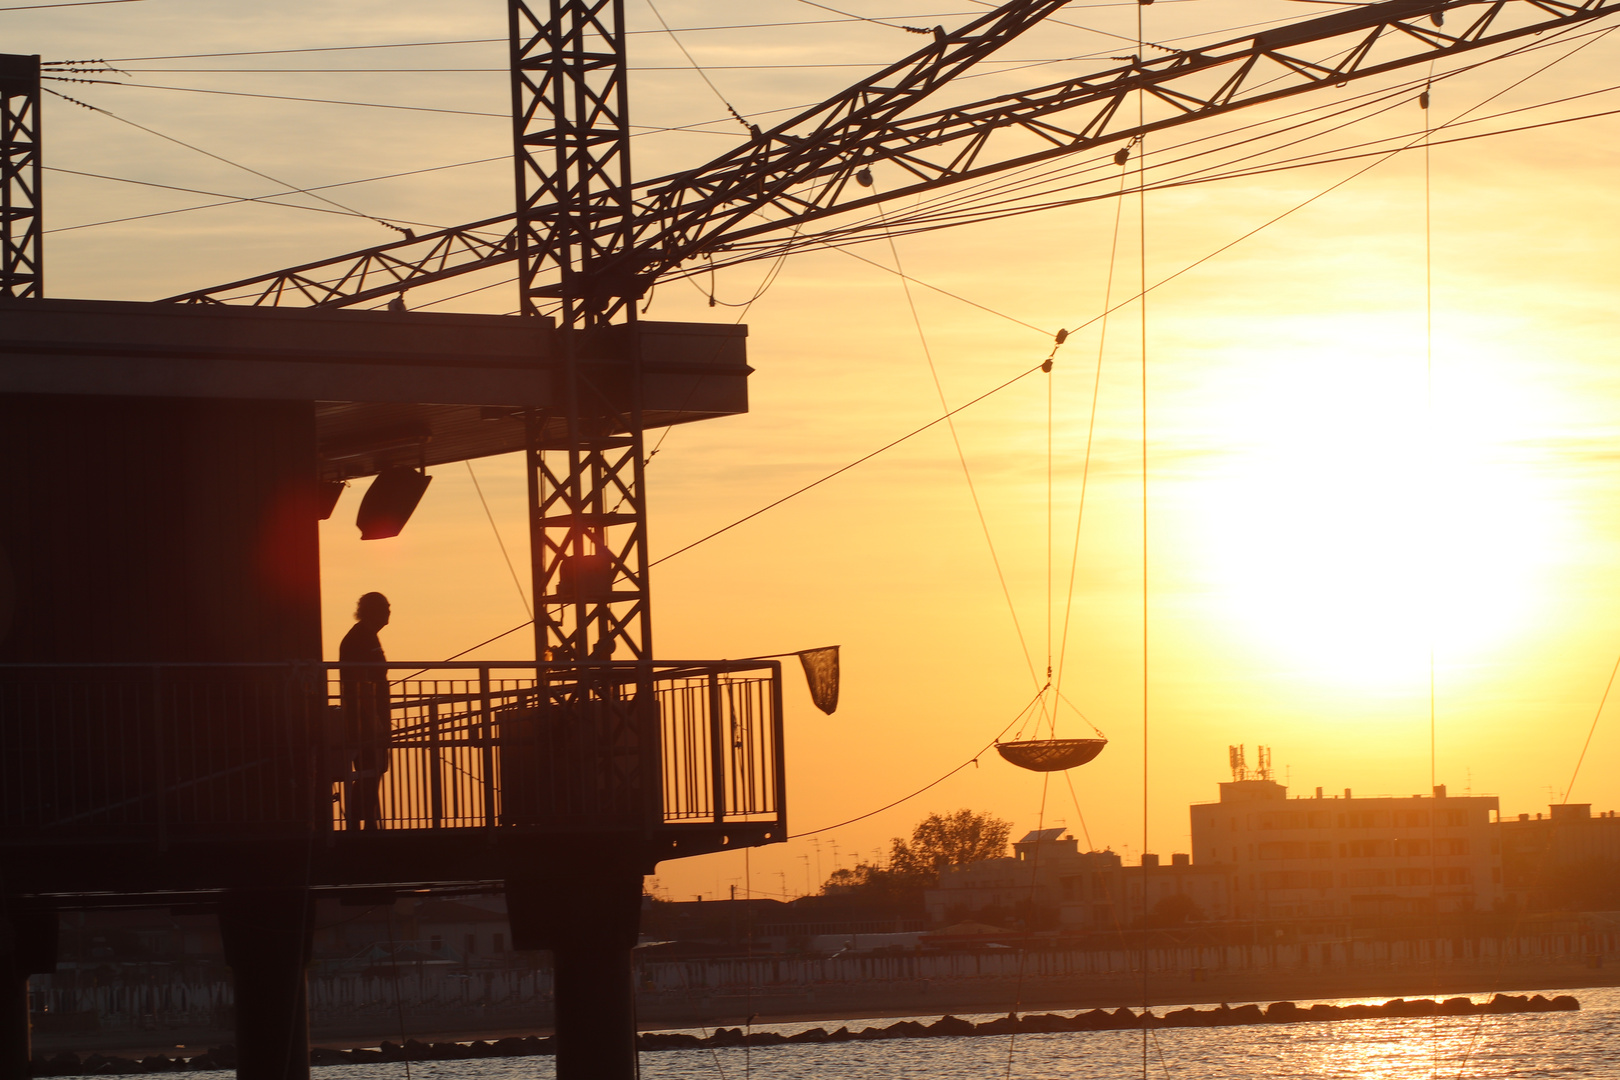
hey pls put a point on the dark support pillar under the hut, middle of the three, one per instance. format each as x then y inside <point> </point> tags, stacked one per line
<point>268,937</point>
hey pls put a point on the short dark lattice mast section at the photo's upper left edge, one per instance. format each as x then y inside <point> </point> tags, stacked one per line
<point>22,273</point>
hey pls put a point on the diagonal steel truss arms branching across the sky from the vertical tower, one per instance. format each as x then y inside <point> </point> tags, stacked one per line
<point>804,169</point>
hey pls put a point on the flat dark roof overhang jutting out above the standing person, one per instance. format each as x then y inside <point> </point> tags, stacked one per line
<point>393,388</point>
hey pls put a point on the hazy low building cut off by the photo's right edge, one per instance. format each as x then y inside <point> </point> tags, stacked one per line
<point>1562,862</point>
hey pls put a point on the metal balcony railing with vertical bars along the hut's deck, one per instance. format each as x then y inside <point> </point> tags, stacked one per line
<point>147,752</point>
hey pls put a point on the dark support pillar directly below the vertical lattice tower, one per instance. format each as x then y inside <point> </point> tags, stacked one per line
<point>589,917</point>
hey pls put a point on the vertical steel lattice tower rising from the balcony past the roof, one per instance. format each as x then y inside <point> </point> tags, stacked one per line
<point>573,161</point>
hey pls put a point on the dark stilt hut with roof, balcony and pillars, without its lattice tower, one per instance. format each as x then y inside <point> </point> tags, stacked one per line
<point>171,736</point>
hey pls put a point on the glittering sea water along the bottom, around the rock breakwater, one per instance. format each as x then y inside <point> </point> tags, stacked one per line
<point>1517,1047</point>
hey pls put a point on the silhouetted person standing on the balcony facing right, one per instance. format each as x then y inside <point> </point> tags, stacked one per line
<point>365,710</point>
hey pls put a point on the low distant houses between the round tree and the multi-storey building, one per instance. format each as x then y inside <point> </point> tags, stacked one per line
<point>1086,891</point>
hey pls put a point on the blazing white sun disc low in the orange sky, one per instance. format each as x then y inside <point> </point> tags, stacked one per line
<point>1352,519</point>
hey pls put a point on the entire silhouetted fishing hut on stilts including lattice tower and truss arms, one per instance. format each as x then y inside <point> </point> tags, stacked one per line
<point>169,734</point>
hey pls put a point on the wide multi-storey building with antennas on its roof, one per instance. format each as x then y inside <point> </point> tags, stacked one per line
<point>1349,857</point>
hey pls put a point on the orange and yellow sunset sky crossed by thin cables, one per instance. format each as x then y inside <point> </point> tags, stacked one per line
<point>1324,509</point>
